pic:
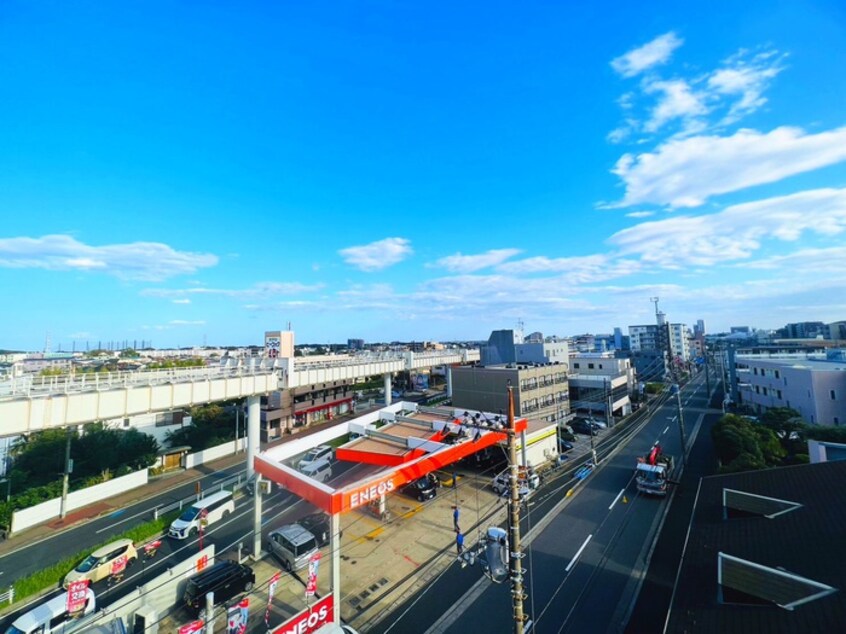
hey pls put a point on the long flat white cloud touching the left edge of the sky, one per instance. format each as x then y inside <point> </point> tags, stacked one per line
<point>149,261</point>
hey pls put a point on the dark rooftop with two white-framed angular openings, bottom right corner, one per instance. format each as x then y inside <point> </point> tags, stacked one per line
<point>765,553</point>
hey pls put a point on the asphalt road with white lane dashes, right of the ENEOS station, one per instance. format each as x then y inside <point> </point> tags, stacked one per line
<point>612,535</point>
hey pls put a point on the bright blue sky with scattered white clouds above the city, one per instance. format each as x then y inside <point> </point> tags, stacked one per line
<point>202,172</point>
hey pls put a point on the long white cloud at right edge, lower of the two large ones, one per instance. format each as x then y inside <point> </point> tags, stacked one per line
<point>735,233</point>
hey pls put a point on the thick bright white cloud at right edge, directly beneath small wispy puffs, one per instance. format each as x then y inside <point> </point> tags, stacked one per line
<point>686,172</point>
